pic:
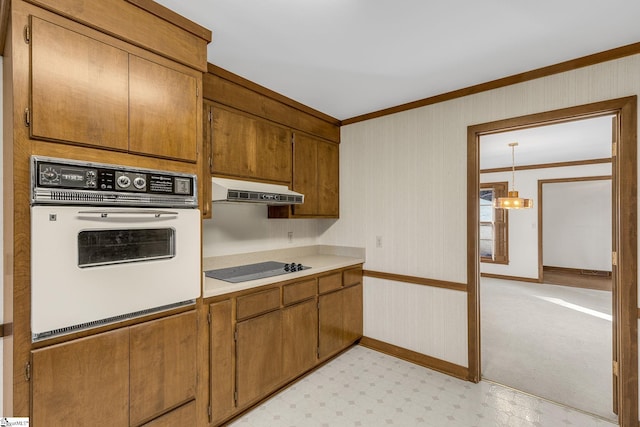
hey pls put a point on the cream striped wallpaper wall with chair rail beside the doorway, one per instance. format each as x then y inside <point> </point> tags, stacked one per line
<point>403,178</point>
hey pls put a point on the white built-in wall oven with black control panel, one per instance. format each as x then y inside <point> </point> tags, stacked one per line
<point>109,243</point>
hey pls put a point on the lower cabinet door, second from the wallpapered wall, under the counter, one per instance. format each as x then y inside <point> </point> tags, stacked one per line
<point>330,315</point>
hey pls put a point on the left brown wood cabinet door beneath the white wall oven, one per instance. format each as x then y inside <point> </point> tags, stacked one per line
<point>84,382</point>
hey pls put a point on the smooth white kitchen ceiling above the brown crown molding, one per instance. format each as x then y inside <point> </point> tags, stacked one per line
<point>351,57</point>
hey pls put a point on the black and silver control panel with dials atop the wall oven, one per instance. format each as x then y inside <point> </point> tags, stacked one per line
<point>73,181</point>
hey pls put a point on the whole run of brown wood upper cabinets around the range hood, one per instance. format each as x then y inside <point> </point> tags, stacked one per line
<point>242,110</point>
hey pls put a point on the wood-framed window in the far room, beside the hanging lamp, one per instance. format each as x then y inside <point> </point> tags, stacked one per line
<point>494,224</point>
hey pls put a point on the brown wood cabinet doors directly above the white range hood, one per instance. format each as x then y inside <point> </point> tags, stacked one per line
<point>243,146</point>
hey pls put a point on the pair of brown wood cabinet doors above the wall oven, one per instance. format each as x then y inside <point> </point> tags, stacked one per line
<point>90,90</point>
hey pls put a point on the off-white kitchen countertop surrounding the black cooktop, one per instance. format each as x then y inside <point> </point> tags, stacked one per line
<point>320,258</point>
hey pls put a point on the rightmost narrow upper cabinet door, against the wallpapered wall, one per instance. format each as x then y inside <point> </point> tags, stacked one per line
<point>328,179</point>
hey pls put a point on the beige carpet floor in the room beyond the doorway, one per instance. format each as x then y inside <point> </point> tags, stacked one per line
<point>550,341</point>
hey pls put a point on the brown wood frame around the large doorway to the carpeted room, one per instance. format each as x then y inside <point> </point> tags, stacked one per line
<point>625,224</point>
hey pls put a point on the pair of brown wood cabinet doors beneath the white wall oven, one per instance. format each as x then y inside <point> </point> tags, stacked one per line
<point>124,377</point>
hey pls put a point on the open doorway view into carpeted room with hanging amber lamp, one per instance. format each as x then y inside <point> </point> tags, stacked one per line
<point>541,336</point>
